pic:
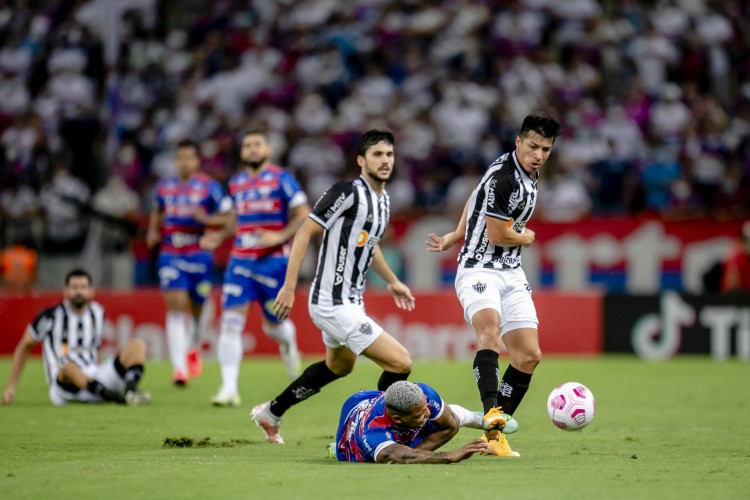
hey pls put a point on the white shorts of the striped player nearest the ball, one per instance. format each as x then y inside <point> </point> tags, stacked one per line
<point>505,291</point>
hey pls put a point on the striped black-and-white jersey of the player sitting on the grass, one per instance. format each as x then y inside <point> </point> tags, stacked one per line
<point>66,336</point>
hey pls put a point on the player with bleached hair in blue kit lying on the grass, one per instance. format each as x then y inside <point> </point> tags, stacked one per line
<point>405,424</point>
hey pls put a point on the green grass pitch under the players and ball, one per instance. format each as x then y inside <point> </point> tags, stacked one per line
<point>662,430</point>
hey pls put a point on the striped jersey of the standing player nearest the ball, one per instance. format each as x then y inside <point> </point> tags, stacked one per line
<point>505,192</point>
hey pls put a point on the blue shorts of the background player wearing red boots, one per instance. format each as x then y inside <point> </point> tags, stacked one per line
<point>191,273</point>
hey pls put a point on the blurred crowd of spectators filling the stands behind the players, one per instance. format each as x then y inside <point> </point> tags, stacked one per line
<point>654,97</point>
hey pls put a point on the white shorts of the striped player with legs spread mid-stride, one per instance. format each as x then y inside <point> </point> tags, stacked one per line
<point>346,325</point>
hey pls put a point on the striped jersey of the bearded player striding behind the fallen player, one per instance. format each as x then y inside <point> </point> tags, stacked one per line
<point>354,219</point>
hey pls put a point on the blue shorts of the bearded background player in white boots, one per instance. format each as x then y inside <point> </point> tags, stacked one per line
<point>247,281</point>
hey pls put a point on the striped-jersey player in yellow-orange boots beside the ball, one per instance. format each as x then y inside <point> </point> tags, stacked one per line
<point>490,282</point>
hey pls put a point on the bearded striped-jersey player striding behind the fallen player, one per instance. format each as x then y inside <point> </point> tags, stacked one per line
<point>352,217</point>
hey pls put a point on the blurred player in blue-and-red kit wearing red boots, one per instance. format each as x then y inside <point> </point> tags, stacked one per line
<point>183,206</point>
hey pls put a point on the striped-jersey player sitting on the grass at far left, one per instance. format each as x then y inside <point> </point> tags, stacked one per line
<point>70,334</point>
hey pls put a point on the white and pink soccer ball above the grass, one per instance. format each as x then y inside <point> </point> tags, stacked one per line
<point>571,406</point>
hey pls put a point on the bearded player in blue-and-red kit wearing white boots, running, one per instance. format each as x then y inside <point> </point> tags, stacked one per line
<point>267,208</point>
